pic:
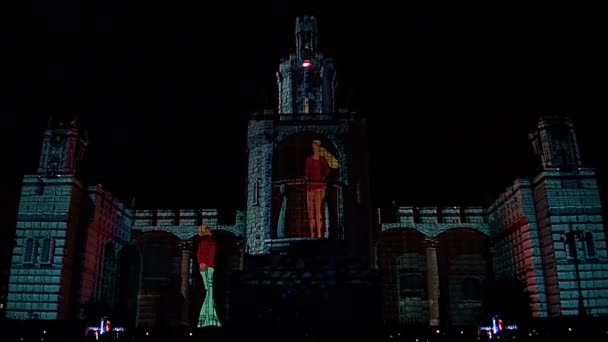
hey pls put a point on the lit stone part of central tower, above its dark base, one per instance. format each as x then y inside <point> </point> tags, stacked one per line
<point>308,178</point>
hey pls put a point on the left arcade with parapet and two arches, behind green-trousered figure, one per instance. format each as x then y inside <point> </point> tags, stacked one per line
<point>167,240</point>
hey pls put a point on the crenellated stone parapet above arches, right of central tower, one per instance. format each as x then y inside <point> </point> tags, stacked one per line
<point>432,221</point>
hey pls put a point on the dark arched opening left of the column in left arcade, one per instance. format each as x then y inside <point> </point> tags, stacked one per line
<point>160,296</point>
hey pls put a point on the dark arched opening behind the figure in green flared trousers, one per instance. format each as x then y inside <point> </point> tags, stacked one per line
<point>228,260</point>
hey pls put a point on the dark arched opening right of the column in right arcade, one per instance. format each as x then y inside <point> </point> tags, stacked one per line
<point>463,268</point>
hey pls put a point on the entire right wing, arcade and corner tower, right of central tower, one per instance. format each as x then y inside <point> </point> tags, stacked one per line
<point>546,231</point>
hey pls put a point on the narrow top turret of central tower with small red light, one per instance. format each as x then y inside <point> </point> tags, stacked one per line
<point>306,80</point>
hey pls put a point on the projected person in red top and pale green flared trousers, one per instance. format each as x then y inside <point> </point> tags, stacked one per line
<point>206,261</point>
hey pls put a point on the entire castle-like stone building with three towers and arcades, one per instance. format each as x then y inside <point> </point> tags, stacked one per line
<point>306,237</point>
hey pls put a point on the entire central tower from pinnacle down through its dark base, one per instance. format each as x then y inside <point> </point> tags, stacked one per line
<point>308,217</point>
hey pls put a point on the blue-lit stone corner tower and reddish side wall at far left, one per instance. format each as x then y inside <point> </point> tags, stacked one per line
<point>64,232</point>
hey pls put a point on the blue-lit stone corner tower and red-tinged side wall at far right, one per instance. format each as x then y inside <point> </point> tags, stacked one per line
<point>548,231</point>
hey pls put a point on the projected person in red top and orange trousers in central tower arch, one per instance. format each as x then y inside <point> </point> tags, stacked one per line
<point>316,172</point>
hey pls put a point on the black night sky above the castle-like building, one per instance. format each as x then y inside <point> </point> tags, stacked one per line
<point>165,89</point>
